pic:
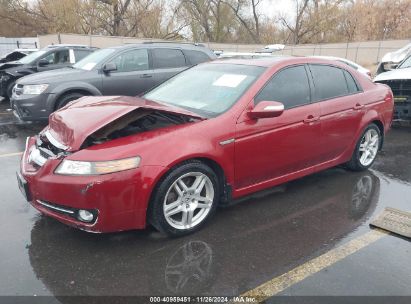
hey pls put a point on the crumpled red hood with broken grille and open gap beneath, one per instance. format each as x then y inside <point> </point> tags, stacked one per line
<point>93,121</point>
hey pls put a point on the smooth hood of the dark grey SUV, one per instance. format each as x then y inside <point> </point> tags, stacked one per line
<point>53,76</point>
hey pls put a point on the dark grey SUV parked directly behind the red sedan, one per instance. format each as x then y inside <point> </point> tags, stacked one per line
<point>123,70</point>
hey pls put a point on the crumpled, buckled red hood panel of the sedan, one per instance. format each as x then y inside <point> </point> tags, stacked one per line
<point>72,124</point>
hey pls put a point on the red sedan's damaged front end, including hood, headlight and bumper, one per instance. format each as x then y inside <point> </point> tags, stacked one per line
<point>64,177</point>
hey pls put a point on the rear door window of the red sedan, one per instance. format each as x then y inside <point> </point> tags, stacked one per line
<point>329,82</point>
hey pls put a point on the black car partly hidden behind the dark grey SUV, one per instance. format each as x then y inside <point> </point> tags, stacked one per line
<point>49,58</point>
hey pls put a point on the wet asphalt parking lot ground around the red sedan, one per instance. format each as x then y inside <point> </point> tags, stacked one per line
<point>307,237</point>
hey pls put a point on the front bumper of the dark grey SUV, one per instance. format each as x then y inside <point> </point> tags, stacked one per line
<point>32,107</point>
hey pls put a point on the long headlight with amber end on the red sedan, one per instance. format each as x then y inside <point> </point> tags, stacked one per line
<point>74,167</point>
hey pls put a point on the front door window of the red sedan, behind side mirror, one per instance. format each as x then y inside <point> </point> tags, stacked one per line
<point>289,86</point>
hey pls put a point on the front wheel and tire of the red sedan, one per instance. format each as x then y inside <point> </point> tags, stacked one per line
<point>184,199</point>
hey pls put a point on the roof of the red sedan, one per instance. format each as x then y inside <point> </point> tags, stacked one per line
<point>275,60</point>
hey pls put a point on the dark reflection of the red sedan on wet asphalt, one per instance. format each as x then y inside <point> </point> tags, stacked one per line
<point>249,240</point>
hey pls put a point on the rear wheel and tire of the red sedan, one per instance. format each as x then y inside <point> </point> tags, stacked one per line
<point>366,149</point>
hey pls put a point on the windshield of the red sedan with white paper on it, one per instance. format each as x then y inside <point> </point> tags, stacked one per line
<point>208,89</point>
